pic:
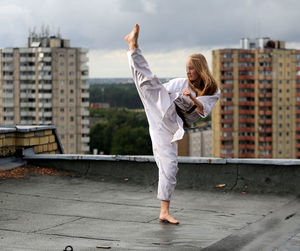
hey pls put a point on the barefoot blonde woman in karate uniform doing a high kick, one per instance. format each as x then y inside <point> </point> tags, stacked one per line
<point>169,107</point>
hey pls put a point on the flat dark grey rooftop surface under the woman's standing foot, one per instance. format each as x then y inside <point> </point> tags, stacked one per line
<point>49,212</point>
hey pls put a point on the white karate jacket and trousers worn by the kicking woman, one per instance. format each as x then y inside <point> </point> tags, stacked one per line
<point>165,126</point>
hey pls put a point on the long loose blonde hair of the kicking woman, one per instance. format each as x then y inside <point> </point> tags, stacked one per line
<point>207,84</point>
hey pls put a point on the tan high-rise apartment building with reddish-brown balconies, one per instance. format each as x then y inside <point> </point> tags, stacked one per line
<point>258,114</point>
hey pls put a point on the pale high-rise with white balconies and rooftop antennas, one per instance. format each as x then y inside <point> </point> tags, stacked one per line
<point>46,82</point>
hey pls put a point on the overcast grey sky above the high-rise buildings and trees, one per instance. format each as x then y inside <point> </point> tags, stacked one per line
<point>170,29</point>
